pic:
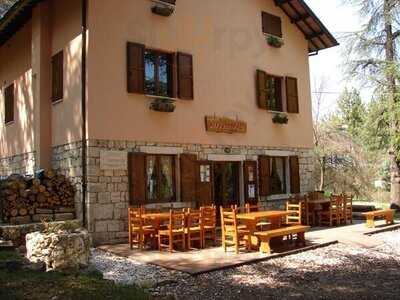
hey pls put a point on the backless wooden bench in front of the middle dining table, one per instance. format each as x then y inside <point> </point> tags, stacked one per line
<point>265,236</point>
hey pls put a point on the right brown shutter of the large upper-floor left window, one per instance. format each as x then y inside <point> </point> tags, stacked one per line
<point>185,76</point>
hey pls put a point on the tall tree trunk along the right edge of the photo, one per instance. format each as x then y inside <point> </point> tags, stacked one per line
<point>391,92</point>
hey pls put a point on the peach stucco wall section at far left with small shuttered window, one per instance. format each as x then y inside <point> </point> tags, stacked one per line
<point>15,66</point>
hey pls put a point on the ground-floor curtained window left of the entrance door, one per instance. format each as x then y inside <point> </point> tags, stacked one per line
<point>160,178</point>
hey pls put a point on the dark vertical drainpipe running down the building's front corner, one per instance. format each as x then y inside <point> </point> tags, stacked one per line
<point>83,86</point>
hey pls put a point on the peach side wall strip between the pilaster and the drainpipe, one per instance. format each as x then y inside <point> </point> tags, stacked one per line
<point>66,35</point>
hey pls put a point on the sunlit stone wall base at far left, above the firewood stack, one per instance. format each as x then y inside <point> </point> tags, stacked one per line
<point>24,164</point>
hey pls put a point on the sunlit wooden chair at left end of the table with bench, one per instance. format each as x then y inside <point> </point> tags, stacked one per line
<point>231,234</point>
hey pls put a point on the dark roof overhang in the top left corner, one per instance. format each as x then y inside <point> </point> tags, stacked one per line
<point>15,18</point>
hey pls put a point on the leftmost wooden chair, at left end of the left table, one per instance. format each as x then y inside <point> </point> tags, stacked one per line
<point>138,231</point>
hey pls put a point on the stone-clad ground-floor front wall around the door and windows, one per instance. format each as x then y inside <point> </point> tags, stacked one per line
<point>108,197</point>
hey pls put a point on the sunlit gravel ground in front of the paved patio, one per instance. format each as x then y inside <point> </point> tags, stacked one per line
<point>334,272</point>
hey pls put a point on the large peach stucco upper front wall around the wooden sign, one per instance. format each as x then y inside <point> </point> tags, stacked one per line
<point>226,40</point>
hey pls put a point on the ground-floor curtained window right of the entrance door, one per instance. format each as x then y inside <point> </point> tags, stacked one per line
<point>277,175</point>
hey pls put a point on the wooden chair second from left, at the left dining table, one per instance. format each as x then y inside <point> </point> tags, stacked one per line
<point>175,234</point>
